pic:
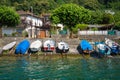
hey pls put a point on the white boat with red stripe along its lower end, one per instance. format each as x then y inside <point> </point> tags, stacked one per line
<point>49,45</point>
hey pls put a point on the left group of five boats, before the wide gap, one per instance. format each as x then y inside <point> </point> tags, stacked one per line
<point>25,46</point>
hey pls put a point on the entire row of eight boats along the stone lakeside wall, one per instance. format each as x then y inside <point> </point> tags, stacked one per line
<point>107,47</point>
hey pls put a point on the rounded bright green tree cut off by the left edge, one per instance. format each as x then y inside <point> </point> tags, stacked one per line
<point>8,17</point>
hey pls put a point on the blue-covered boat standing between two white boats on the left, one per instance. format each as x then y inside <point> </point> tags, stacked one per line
<point>22,47</point>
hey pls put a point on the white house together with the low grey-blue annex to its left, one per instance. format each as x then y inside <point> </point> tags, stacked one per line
<point>35,26</point>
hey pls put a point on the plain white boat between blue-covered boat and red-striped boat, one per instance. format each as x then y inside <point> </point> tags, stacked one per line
<point>35,45</point>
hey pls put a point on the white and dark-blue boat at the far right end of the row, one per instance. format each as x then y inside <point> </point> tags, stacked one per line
<point>113,45</point>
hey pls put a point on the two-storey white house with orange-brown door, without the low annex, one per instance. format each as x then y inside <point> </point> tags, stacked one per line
<point>37,27</point>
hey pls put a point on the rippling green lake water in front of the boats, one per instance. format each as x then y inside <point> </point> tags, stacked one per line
<point>24,68</point>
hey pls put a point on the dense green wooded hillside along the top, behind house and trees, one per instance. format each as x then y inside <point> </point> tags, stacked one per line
<point>43,6</point>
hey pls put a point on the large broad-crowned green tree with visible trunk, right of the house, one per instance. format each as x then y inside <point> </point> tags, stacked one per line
<point>70,15</point>
